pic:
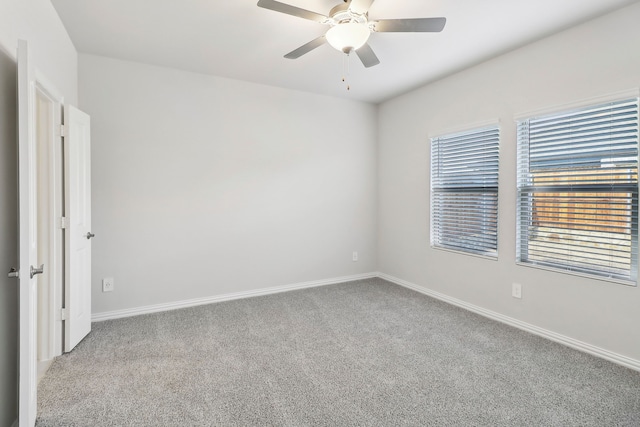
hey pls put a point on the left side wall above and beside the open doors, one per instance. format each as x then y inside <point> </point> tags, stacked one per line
<point>56,59</point>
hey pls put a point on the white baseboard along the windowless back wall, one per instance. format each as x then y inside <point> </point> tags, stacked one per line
<point>136,311</point>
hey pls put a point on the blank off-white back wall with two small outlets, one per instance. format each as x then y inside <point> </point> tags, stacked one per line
<point>206,186</point>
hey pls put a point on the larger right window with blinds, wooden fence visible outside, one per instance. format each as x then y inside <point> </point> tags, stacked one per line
<point>578,191</point>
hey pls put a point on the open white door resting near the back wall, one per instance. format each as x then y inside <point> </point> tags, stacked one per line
<point>77,152</point>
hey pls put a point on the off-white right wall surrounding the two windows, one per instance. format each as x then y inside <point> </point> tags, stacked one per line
<point>591,60</point>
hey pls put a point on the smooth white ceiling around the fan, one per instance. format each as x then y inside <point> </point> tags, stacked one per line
<point>239,40</point>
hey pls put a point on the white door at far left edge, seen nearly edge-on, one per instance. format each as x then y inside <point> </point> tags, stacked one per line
<point>27,393</point>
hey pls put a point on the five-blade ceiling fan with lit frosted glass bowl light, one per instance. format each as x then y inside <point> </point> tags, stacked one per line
<point>351,27</point>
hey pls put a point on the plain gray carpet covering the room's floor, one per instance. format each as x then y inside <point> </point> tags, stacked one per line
<point>366,353</point>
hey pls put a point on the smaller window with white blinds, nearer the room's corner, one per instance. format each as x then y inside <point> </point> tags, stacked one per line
<point>464,191</point>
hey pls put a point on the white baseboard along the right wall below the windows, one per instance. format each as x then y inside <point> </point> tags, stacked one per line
<point>553,336</point>
